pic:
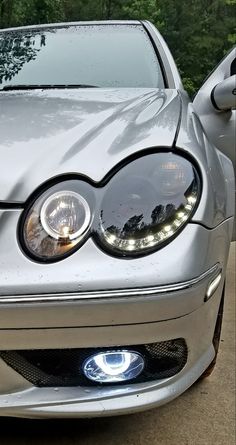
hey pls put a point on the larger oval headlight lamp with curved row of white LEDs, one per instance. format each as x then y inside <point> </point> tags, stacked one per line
<point>147,203</point>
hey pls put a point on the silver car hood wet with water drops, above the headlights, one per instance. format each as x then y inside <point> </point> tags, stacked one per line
<point>47,133</point>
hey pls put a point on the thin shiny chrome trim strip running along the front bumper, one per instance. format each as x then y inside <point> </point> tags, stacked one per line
<point>136,292</point>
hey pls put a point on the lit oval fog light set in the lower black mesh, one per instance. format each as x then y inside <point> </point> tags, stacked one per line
<point>113,366</point>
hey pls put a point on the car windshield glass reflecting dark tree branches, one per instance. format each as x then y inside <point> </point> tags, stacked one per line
<point>98,55</point>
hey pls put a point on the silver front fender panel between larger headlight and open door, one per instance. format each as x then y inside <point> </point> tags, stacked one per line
<point>218,179</point>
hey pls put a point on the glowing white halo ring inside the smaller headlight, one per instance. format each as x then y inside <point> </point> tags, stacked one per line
<point>81,201</point>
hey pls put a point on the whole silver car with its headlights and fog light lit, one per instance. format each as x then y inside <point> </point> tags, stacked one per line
<point>116,216</point>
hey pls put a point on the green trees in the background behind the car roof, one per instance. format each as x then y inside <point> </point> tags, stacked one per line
<point>198,32</point>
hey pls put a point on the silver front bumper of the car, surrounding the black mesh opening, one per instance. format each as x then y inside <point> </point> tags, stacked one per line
<point>60,306</point>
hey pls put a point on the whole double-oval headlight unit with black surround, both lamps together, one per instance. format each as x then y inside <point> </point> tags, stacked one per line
<point>142,206</point>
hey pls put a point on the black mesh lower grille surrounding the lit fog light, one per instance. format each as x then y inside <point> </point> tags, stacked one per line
<point>63,367</point>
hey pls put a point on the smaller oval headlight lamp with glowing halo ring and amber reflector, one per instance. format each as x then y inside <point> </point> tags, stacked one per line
<point>56,223</point>
